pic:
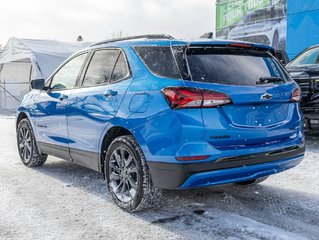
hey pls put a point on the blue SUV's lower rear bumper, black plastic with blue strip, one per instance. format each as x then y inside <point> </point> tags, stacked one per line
<point>224,170</point>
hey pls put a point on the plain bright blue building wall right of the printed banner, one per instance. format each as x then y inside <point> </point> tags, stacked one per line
<point>302,25</point>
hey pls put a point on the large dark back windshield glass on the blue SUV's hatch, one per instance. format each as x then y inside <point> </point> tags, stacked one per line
<point>232,67</point>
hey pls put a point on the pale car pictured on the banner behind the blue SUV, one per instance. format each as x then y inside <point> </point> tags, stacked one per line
<point>266,26</point>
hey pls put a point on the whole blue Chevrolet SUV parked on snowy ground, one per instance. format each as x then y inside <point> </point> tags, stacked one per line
<point>151,113</point>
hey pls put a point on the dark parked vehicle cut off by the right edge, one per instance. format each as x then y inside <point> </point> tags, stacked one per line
<point>304,69</point>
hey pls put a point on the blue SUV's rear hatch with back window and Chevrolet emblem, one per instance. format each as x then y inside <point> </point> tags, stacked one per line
<point>261,109</point>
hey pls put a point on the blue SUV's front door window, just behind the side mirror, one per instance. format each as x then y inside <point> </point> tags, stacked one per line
<point>66,77</point>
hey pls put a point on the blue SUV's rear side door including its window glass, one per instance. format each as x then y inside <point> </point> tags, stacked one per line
<point>93,105</point>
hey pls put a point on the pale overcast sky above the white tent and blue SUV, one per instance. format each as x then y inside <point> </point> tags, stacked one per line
<point>97,20</point>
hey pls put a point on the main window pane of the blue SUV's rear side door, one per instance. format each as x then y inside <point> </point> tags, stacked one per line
<point>101,67</point>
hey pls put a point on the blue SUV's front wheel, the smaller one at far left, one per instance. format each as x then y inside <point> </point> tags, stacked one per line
<point>27,145</point>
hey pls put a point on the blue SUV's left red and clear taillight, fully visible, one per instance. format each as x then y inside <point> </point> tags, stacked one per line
<point>183,97</point>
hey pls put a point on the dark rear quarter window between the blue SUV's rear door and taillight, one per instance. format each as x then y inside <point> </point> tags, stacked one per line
<point>159,60</point>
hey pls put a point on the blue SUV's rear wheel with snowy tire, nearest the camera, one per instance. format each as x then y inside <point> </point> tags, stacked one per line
<point>127,175</point>
